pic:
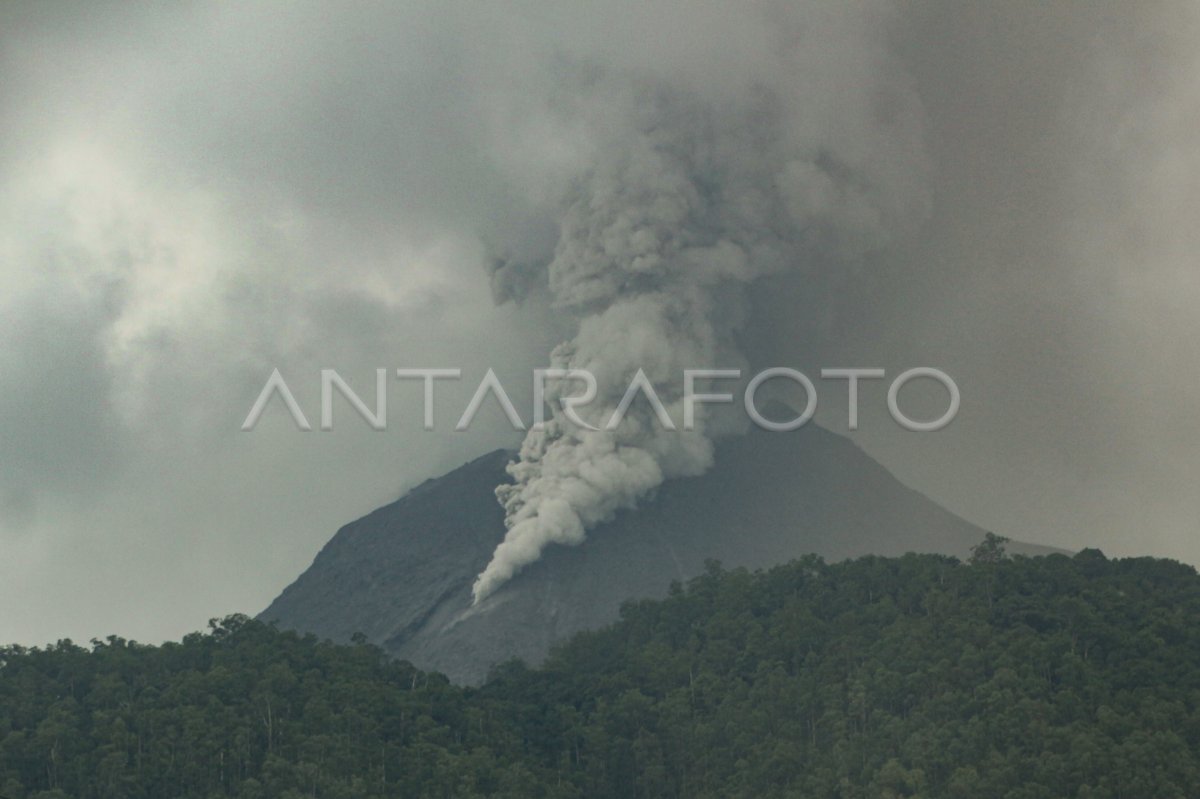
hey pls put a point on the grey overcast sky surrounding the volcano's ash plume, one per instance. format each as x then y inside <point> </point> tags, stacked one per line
<point>193,196</point>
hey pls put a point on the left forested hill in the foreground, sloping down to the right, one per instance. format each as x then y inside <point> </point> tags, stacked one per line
<point>248,711</point>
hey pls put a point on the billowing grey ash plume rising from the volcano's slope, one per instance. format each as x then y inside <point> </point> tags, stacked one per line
<point>691,194</point>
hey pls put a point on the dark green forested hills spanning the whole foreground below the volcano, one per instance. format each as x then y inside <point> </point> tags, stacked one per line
<point>881,677</point>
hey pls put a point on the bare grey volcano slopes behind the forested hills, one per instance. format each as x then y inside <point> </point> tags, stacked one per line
<point>404,574</point>
